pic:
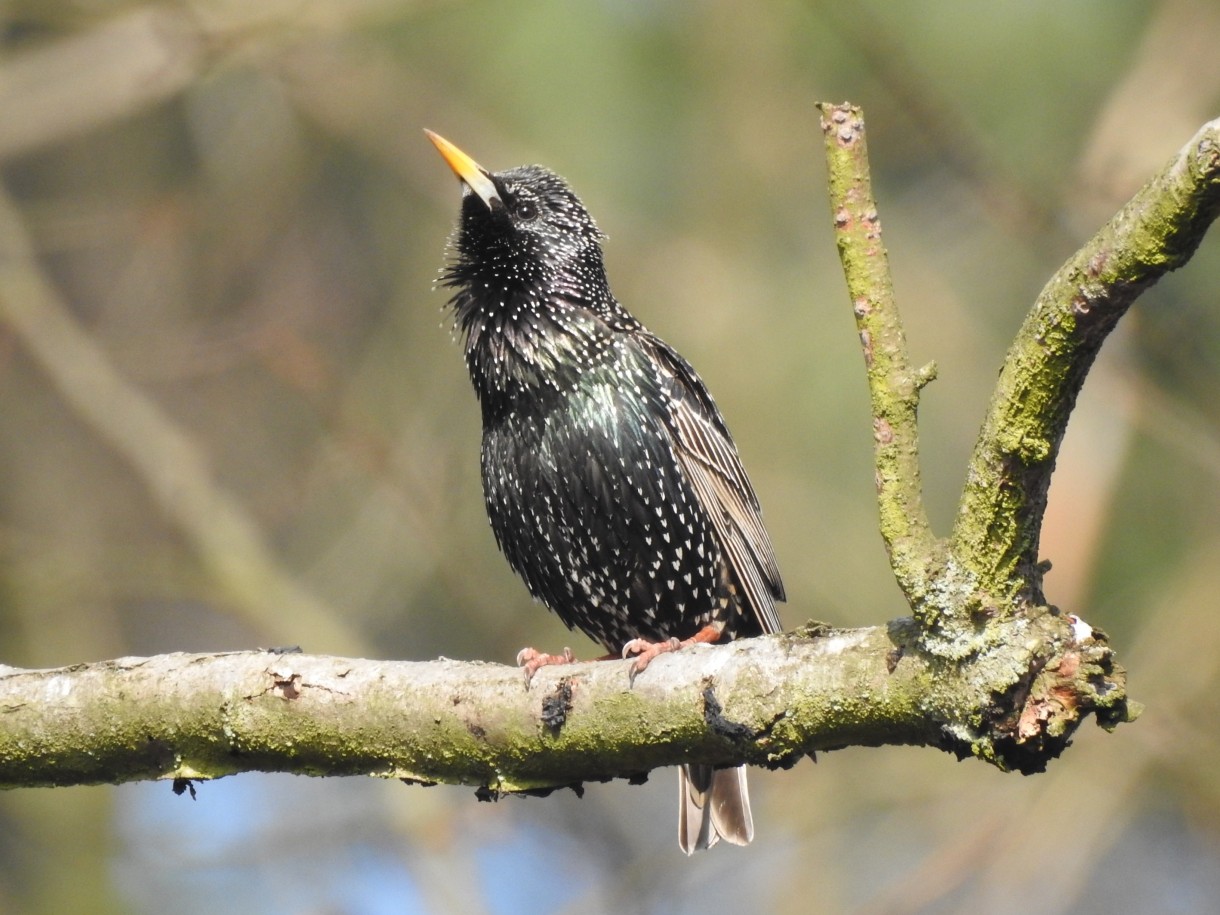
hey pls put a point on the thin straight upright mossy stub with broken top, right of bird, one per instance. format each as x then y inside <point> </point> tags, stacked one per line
<point>894,385</point>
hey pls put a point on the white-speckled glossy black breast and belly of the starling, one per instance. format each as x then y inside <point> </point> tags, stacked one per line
<point>591,507</point>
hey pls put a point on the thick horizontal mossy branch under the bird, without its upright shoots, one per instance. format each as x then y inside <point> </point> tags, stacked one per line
<point>768,702</point>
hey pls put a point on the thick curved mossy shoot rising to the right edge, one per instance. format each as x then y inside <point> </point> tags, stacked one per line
<point>1000,517</point>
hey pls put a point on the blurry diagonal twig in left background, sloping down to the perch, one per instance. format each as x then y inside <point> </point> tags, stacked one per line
<point>170,462</point>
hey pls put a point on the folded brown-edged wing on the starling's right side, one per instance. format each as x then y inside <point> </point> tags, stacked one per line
<point>709,459</point>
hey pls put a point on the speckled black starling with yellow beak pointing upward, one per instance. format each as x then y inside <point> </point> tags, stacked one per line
<point>612,483</point>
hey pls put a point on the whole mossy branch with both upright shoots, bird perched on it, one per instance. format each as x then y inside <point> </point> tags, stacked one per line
<point>984,669</point>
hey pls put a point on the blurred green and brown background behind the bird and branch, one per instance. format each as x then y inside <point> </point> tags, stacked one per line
<point>232,415</point>
